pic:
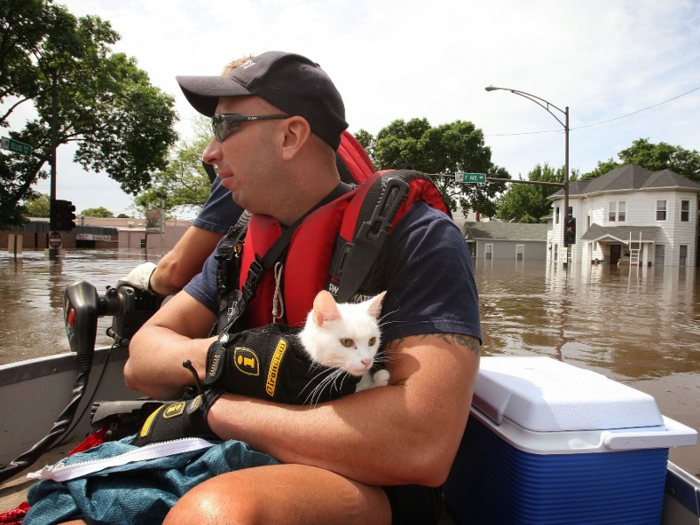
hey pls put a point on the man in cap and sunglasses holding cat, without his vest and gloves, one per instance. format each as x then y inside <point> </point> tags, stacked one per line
<point>368,457</point>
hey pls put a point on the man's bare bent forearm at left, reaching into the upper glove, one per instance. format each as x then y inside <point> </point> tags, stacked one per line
<point>175,333</point>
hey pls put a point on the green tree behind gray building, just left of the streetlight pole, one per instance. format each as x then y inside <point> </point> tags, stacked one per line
<point>528,202</point>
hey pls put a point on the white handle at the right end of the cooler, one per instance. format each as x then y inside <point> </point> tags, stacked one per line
<point>675,434</point>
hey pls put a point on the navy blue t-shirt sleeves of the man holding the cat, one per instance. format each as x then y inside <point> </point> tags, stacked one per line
<point>429,276</point>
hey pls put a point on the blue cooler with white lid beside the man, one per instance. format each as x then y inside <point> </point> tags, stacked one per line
<point>550,443</point>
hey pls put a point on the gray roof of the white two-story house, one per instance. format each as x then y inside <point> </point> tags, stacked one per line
<point>629,177</point>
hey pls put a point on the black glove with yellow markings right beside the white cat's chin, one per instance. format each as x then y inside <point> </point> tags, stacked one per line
<point>270,363</point>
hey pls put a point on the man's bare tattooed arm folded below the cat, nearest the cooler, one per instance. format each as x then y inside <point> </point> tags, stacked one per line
<point>405,433</point>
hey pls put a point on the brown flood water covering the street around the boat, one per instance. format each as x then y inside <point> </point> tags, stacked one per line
<point>639,326</point>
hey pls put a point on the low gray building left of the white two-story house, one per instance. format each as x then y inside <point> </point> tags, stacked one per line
<point>506,240</point>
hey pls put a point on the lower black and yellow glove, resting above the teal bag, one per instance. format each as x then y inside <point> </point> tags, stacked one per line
<point>179,420</point>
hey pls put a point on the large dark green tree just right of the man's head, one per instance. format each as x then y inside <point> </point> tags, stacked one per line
<point>446,149</point>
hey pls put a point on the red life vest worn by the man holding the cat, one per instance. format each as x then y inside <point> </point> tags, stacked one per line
<point>308,260</point>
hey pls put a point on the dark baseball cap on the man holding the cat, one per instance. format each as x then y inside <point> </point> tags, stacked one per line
<point>291,82</point>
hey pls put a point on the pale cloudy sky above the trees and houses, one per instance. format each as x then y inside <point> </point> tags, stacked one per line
<point>405,59</point>
